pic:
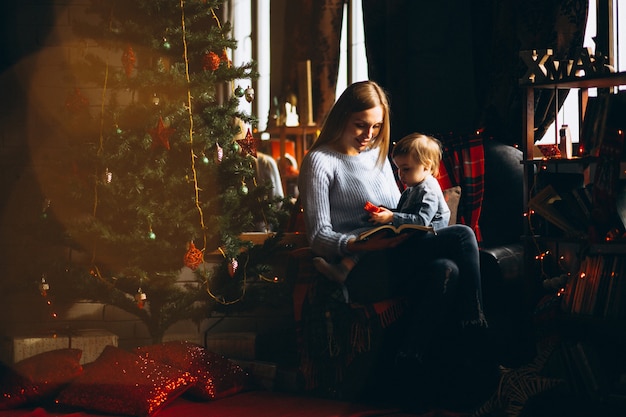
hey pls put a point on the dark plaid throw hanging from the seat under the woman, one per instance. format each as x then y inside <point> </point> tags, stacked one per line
<point>331,333</point>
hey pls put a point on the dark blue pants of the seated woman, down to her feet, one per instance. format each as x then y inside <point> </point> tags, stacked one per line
<point>439,275</point>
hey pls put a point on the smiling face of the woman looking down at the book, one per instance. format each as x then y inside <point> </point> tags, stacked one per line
<point>360,130</point>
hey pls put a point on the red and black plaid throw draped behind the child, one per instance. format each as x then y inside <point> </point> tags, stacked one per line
<point>464,164</point>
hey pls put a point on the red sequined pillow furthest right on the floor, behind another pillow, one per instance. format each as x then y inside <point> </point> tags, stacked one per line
<point>217,376</point>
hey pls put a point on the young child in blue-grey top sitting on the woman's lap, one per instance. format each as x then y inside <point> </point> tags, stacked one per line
<point>417,157</point>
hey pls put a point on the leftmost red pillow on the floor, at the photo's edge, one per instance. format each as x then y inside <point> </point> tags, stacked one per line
<point>38,378</point>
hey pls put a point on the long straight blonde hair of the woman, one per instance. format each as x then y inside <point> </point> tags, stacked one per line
<point>357,97</point>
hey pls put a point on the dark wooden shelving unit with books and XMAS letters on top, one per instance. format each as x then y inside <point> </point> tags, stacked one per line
<point>594,350</point>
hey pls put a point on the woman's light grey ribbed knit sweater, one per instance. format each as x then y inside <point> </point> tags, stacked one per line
<point>334,188</point>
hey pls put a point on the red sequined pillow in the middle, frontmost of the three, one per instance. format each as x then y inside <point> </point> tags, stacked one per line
<point>121,382</point>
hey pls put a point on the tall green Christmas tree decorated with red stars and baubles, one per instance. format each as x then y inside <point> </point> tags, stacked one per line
<point>157,164</point>
